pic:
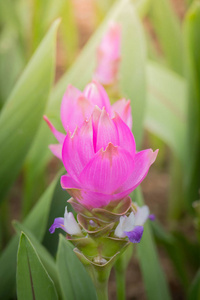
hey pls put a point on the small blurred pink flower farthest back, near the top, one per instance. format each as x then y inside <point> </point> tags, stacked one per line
<point>108,56</point>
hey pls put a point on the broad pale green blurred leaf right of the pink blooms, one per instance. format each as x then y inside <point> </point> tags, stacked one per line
<point>166,108</point>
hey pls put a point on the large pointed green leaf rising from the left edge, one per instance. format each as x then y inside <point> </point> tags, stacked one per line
<point>21,115</point>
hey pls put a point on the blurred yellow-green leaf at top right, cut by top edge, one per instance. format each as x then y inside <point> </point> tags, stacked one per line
<point>168,30</point>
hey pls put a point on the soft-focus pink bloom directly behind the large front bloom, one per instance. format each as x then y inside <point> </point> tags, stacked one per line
<point>78,106</point>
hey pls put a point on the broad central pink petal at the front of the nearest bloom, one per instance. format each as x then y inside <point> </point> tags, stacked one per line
<point>107,170</point>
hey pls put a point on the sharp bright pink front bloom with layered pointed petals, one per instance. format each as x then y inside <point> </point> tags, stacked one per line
<point>101,160</point>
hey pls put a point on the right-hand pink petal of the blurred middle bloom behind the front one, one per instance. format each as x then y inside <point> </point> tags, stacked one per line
<point>123,108</point>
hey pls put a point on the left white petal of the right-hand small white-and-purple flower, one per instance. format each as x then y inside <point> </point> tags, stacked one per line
<point>125,224</point>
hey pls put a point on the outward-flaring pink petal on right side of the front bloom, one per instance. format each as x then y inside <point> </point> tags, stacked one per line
<point>143,160</point>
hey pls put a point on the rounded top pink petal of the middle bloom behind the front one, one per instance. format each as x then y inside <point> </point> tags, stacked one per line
<point>97,95</point>
